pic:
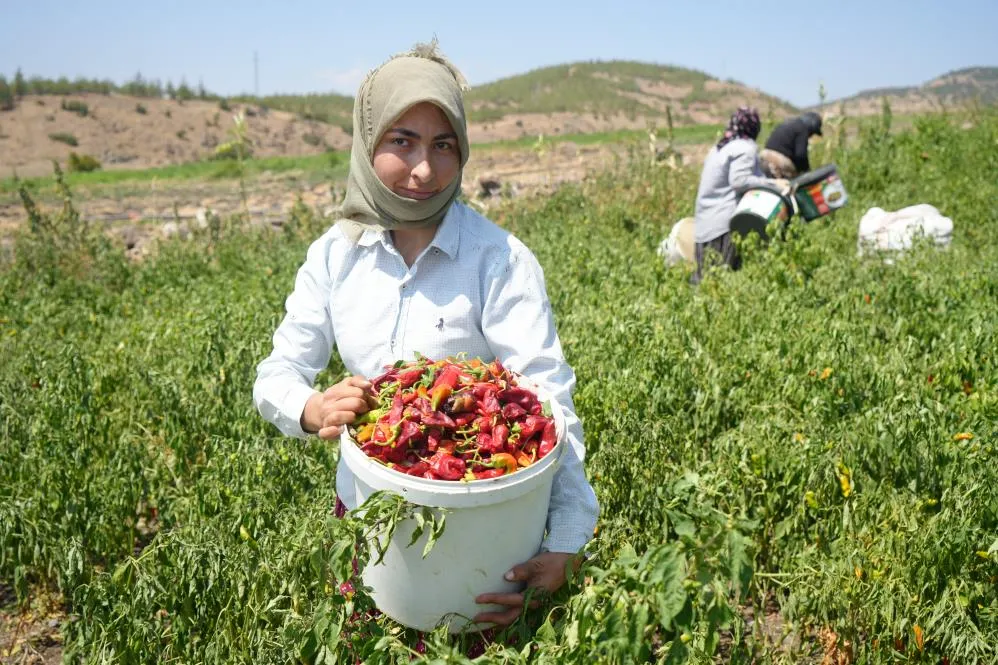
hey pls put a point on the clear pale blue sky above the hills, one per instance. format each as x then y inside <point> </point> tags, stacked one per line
<point>783,48</point>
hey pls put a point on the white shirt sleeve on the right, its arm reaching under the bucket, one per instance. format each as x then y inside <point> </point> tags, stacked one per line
<point>519,325</point>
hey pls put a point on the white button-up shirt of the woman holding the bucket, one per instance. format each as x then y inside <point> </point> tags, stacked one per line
<point>476,289</point>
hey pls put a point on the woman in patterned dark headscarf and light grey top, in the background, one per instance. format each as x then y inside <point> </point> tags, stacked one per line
<point>731,168</point>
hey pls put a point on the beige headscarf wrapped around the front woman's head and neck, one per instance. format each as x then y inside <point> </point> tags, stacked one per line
<point>419,75</point>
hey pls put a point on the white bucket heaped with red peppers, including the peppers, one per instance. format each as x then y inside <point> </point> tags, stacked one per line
<point>474,440</point>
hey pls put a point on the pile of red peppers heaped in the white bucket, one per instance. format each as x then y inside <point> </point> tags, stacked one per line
<point>453,419</point>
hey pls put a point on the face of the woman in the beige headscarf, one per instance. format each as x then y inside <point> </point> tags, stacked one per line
<point>418,156</point>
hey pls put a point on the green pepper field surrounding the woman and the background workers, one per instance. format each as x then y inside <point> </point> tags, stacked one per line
<point>795,462</point>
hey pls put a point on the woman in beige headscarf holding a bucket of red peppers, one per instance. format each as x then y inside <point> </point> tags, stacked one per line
<point>409,269</point>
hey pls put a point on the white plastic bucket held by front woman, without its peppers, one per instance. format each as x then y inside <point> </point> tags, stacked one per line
<point>490,526</point>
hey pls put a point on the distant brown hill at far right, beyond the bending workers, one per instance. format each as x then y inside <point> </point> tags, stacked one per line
<point>956,88</point>
